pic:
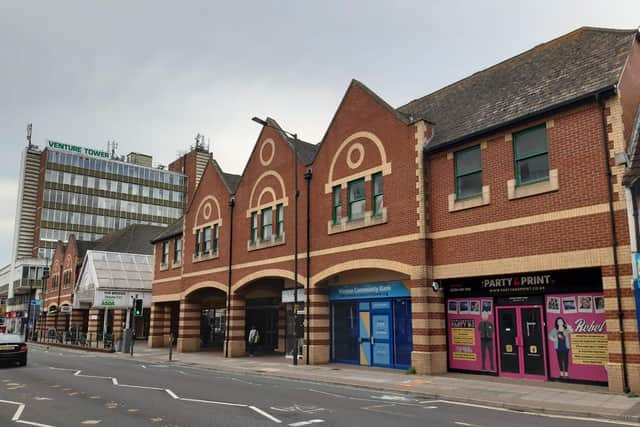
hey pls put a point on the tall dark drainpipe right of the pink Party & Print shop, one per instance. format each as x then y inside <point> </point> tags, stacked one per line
<point>614,244</point>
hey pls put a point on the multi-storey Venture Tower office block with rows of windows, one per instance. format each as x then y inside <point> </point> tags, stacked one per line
<point>68,189</point>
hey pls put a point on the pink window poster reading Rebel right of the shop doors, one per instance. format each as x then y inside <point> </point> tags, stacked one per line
<point>577,336</point>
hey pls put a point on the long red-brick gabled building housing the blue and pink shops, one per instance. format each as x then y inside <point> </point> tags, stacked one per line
<point>482,227</point>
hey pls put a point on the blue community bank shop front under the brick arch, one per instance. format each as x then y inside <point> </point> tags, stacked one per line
<point>371,324</point>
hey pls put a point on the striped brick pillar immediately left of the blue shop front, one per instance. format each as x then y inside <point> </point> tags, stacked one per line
<point>318,343</point>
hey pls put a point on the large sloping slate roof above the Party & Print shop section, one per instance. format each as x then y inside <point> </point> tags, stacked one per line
<point>567,69</point>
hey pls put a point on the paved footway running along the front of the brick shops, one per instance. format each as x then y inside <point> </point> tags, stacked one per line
<point>572,400</point>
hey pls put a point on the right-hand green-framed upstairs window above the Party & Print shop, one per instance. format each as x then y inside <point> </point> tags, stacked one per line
<point>531,155</point>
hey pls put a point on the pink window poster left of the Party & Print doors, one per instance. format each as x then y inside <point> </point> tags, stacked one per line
<point>471,334</point>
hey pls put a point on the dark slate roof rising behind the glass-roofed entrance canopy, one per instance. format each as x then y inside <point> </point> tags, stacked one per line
<point>135,239</point>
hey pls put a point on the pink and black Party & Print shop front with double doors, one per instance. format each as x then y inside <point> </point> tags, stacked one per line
<point>541,326</point>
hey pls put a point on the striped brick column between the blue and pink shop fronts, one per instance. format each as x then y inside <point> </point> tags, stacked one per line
<point>429,355</point>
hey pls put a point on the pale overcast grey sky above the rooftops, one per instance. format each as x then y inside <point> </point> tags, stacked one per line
<point>153,74</point>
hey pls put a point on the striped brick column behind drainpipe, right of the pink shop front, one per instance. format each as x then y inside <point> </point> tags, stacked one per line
<point>632,347</point>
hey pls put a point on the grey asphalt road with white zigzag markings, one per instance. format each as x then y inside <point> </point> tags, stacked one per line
<point>61,388</point>
